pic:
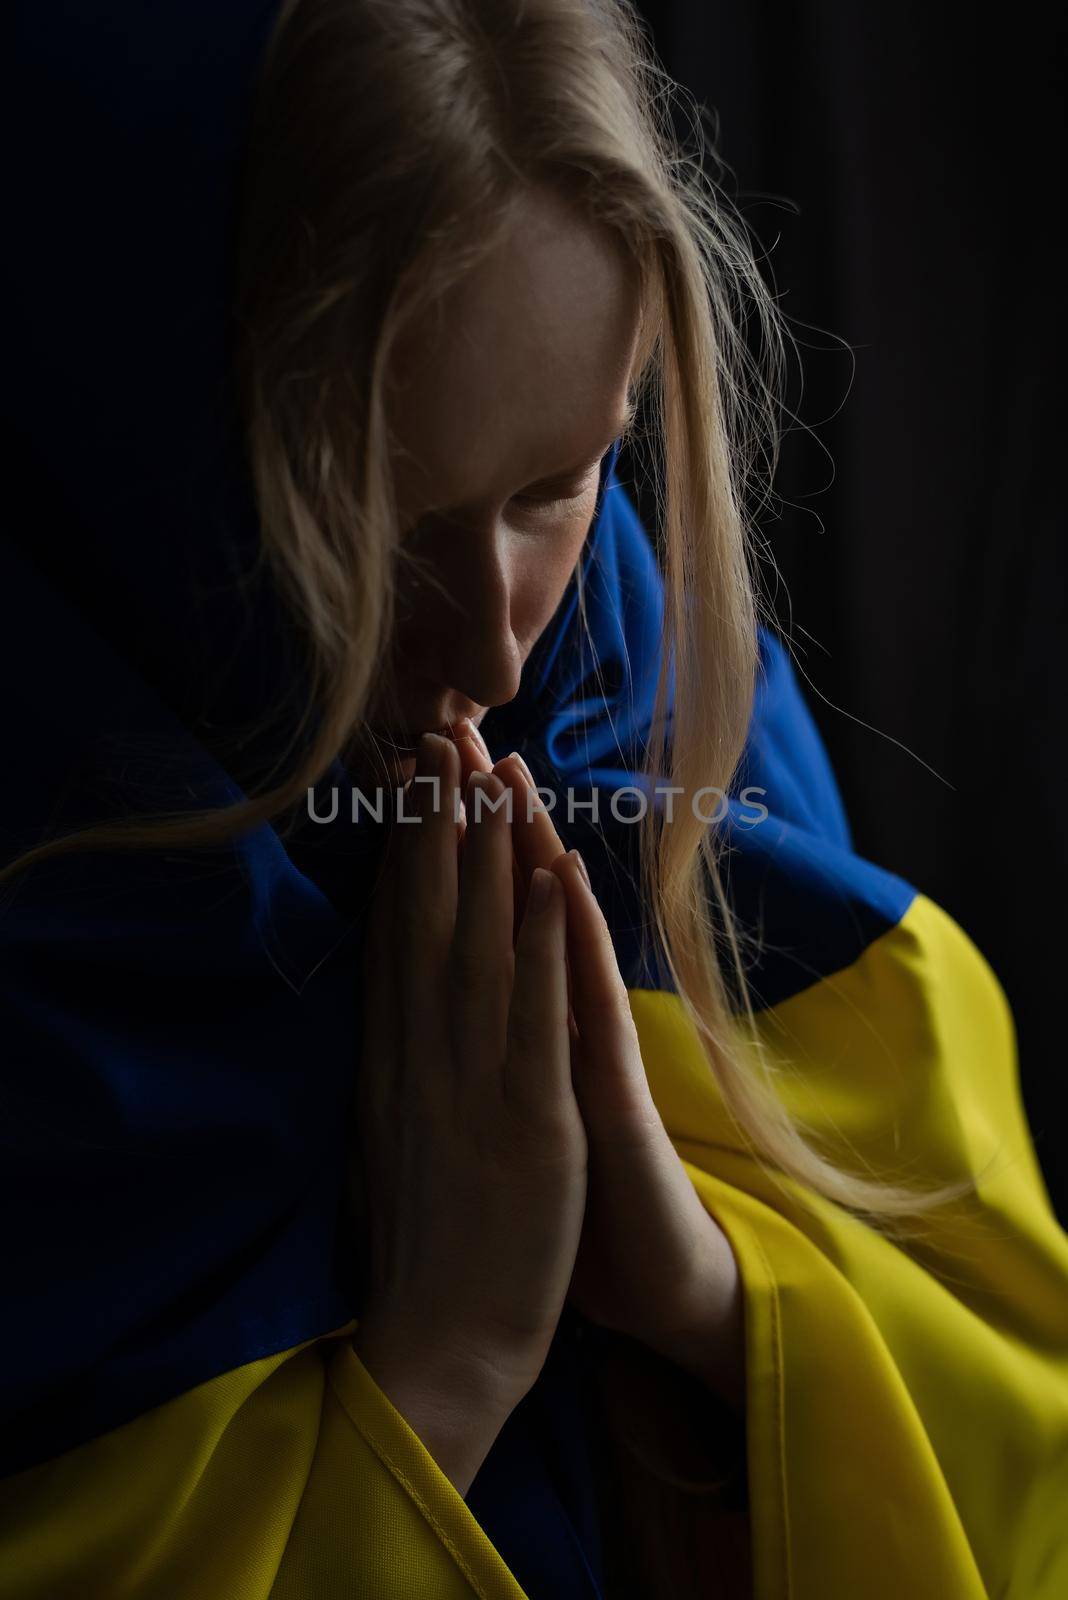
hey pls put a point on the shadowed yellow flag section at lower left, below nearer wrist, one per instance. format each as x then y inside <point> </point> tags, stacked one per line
<point>289,1479</point>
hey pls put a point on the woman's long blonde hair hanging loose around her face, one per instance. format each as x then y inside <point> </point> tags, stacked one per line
<point>388,148</point>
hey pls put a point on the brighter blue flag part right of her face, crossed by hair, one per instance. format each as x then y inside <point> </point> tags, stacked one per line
<point>808,905</point>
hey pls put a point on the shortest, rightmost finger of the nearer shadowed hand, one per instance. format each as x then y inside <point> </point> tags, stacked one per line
<point>538,1057</point>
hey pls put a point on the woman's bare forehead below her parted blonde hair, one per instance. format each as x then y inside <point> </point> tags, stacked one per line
<point>520,370</point>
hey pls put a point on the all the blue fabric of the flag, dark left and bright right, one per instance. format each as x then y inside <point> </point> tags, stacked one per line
<point>180,1026</point>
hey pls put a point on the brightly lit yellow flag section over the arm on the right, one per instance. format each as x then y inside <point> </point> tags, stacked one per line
<point>907,1404</point>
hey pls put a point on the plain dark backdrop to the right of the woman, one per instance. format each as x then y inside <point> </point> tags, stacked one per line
<point>904,169</point>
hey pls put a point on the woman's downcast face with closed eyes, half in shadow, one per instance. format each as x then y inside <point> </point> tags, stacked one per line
<point>501,409</point>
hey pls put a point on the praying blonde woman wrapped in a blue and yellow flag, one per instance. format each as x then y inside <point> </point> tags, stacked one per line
<point>380,1233</point>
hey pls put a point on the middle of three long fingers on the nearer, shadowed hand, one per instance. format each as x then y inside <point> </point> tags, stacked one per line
<point>482,961</point>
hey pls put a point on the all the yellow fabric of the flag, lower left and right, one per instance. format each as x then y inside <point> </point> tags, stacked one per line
<point>907,1406</point>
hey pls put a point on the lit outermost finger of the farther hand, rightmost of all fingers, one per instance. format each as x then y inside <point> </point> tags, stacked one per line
<point>613,1089</point>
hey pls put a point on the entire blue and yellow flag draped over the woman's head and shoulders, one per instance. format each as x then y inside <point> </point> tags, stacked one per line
<point>183,1410</point>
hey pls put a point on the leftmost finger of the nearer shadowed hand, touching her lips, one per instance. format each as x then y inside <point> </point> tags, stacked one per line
<point>426,916</point>
